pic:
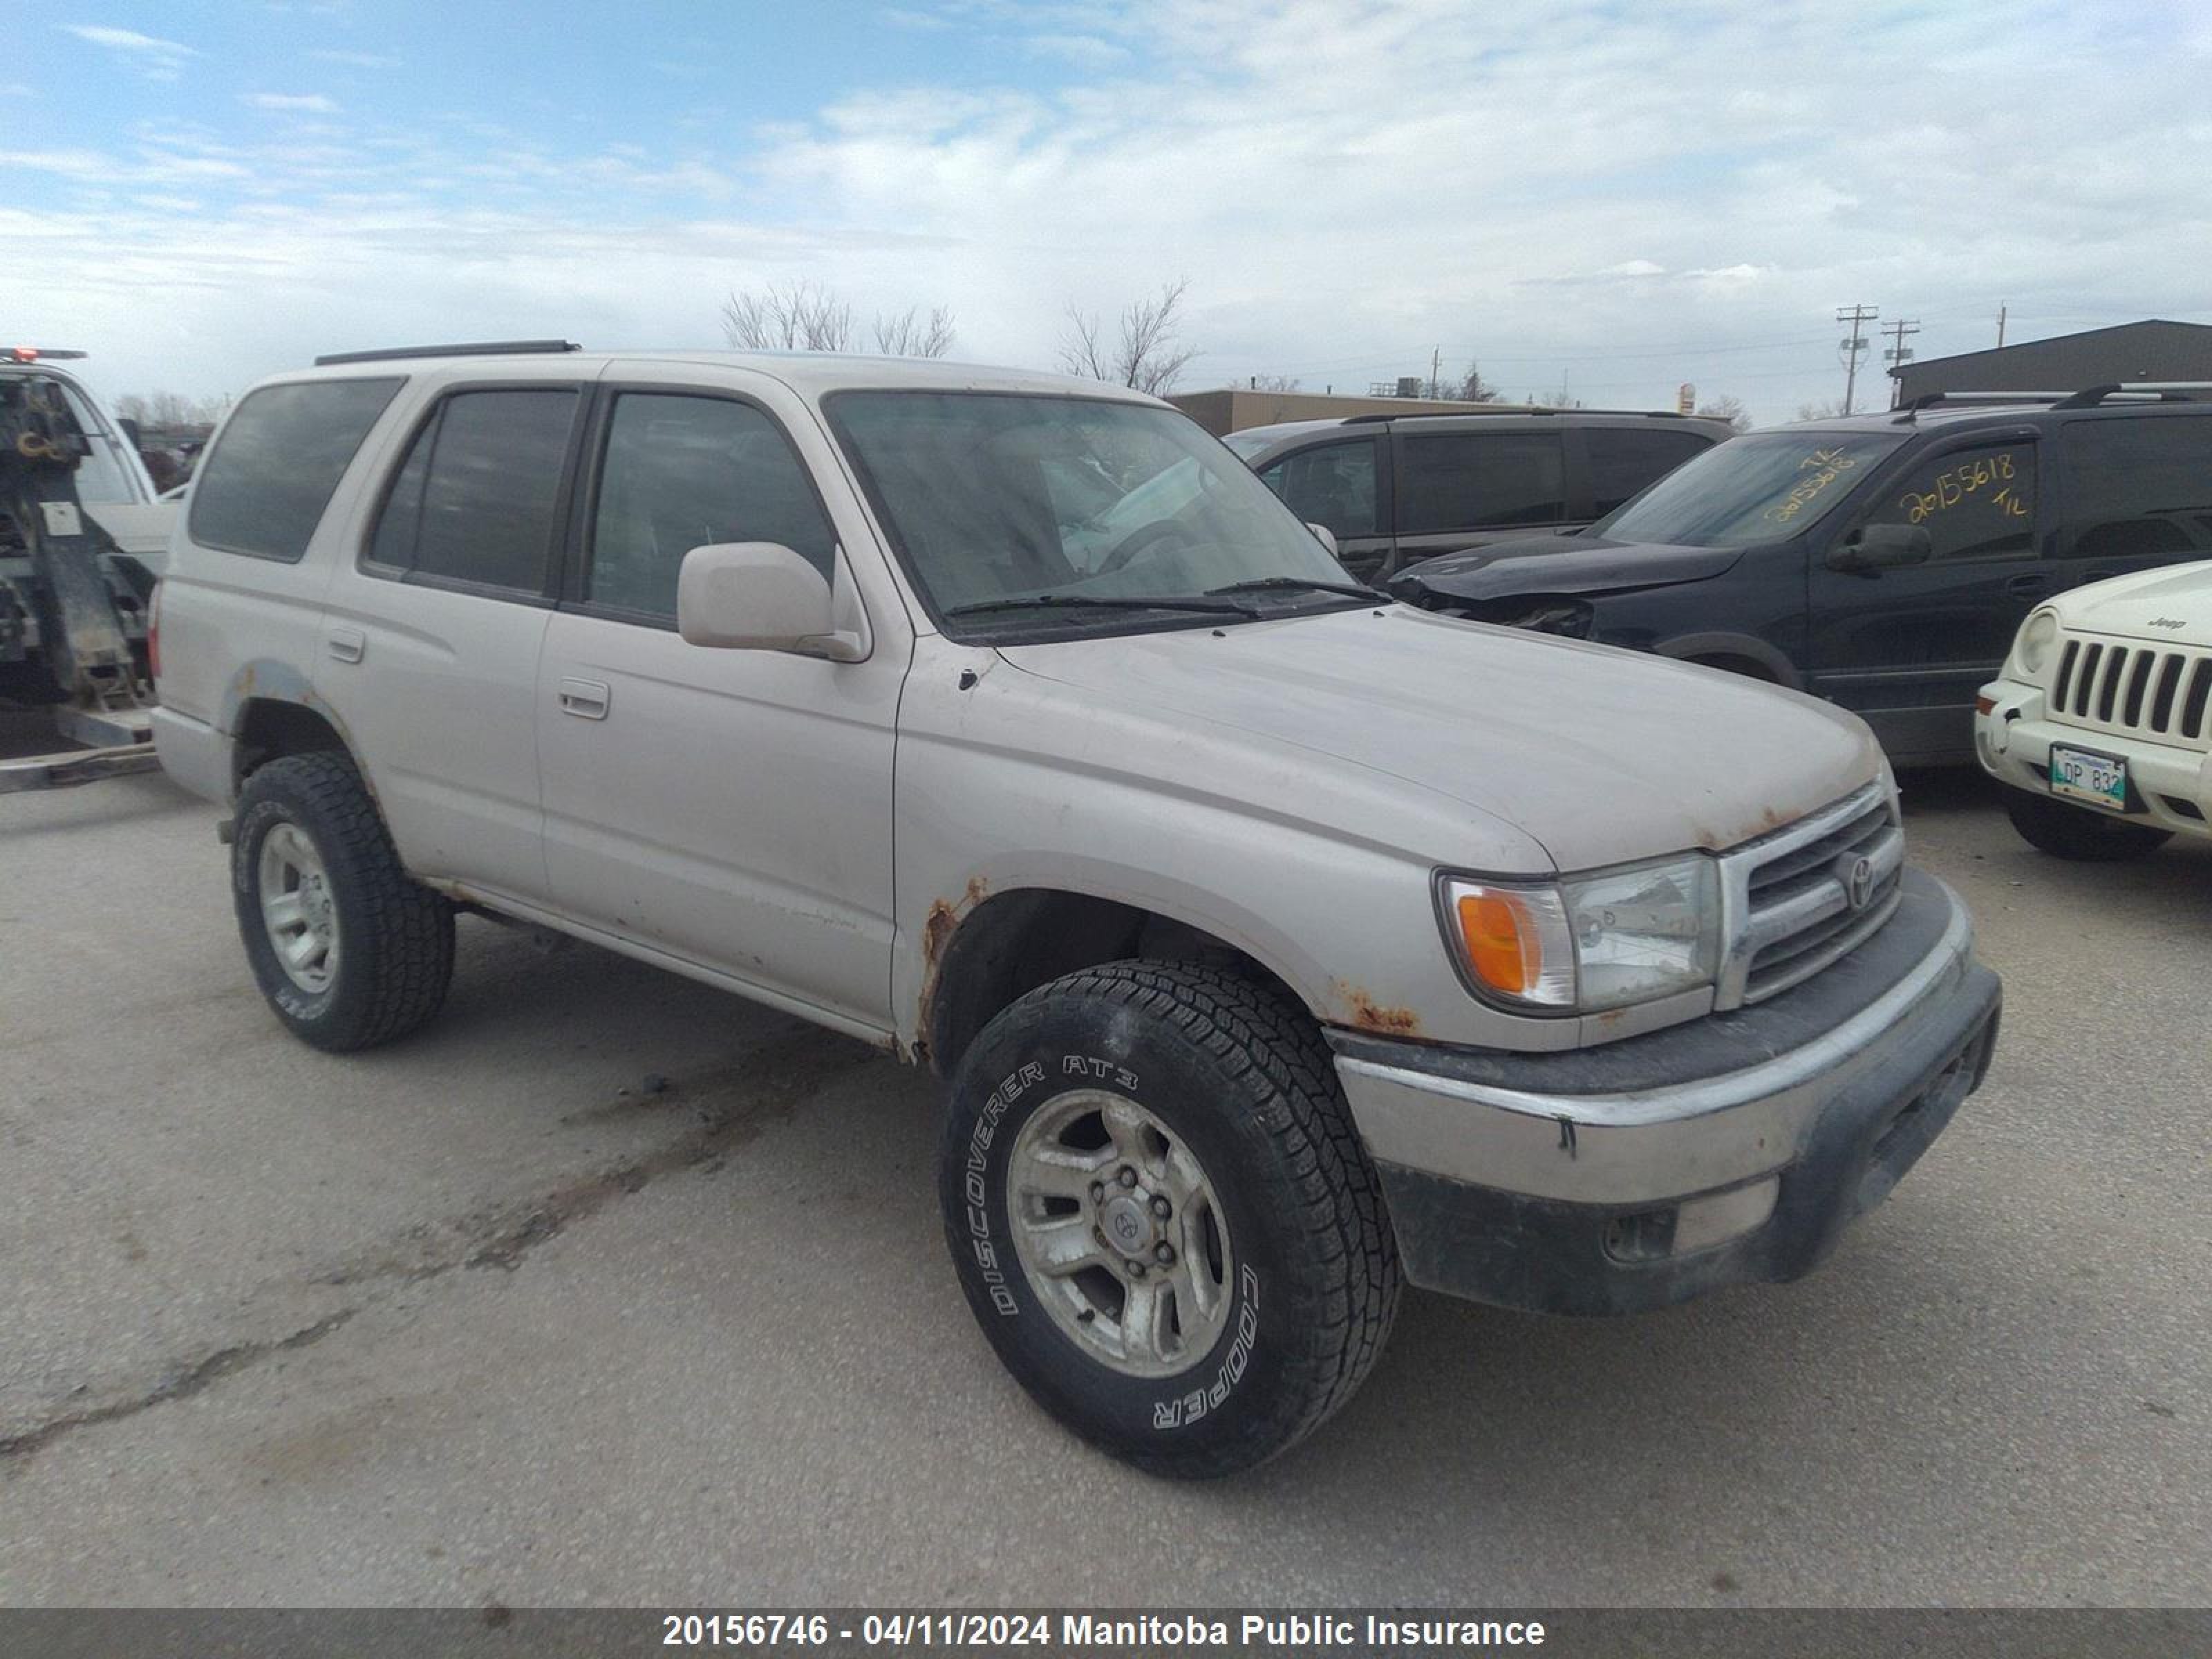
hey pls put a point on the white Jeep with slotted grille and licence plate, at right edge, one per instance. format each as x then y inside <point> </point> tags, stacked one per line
<point>2103,718</point>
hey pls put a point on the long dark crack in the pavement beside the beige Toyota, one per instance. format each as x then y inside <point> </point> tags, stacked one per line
<point>760,1089</point>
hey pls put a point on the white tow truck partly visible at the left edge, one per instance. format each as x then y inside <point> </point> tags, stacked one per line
<point>83,545</point>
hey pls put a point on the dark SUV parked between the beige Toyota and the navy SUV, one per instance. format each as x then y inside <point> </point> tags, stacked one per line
<point>1397,490</point>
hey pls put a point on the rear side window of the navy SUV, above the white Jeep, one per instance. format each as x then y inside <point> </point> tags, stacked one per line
<point>2138,488</point>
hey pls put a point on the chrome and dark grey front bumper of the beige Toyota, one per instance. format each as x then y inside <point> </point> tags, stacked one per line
<point>1656,1169</point>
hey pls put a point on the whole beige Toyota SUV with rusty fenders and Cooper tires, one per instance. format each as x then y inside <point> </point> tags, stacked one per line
<point>1280,943</point>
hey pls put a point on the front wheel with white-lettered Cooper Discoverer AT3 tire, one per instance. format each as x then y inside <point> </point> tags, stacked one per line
<point>1162,1215</point>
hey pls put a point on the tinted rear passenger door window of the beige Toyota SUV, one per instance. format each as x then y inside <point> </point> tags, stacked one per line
<point>477,497</point>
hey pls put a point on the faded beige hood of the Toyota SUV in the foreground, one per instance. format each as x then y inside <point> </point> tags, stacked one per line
<point>1592,753</point>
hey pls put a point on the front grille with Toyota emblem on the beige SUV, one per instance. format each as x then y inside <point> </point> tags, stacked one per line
<point>1806,895</point>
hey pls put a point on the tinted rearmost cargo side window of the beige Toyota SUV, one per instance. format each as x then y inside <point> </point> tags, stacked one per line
<point>278,463</point>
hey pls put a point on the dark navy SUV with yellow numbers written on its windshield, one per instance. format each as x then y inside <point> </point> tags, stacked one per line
<point>1881,563</point>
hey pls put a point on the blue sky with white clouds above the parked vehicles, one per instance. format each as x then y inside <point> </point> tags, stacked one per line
<point>1609,198</point>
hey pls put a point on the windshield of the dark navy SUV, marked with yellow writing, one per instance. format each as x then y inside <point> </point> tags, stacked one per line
<point>1751,490</point>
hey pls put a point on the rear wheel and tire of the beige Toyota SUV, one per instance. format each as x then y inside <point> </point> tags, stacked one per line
<point>346,946</point>
